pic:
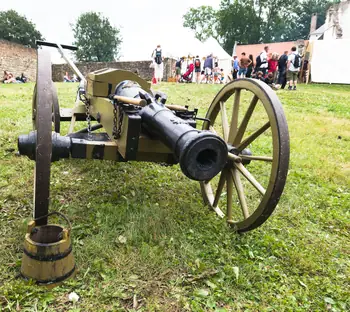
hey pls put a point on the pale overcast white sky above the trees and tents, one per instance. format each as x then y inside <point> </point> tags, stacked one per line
<point>143,24</point>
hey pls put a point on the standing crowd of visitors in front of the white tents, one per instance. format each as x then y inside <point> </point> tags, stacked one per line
<point>275,70</point>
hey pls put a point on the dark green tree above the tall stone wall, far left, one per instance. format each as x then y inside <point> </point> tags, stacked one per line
<point>16,28</point>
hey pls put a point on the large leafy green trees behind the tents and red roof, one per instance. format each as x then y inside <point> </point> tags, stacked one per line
<point>255,21</point>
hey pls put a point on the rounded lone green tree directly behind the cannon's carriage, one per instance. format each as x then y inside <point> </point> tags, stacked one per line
<point>96,38</point>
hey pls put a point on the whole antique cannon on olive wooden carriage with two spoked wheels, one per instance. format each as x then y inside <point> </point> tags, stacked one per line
<point>243,142</point>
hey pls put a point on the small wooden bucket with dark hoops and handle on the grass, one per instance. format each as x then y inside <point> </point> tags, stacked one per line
<point>47,253</point>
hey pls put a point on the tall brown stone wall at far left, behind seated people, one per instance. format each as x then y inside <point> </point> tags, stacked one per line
<point>17,59</point>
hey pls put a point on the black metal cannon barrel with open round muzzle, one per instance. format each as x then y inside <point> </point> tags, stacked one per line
<point>201,154</point>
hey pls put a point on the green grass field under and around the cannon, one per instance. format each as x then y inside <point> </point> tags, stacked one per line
<point>143,239</point>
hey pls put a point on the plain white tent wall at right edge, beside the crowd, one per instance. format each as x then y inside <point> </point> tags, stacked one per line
<point>325,68</point>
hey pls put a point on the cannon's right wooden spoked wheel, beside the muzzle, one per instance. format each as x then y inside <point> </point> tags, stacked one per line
<point>247,114</point>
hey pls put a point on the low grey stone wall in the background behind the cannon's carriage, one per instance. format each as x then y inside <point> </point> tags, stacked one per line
<point>145,72</point>
